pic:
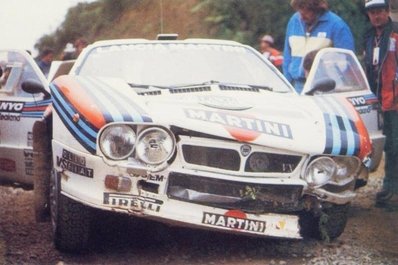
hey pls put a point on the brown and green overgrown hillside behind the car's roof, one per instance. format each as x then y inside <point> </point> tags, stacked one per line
<point>240,20</point>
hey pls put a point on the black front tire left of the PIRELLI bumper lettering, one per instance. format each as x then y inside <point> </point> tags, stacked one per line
<point>70,221</point>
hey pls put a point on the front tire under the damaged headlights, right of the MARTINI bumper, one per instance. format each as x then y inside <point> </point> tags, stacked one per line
<point>327,225</point>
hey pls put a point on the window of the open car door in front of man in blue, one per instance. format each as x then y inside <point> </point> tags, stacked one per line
<point>343,68</point>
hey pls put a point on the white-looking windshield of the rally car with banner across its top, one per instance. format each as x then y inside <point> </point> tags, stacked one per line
<point>171,65</point>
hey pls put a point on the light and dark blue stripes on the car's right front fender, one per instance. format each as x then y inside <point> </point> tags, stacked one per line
<point>341,133</point>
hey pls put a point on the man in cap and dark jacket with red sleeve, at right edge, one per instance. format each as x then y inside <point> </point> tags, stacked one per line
<point>381,54</point>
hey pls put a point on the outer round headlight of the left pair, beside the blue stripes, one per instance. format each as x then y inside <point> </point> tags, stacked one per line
<point>117,142</point>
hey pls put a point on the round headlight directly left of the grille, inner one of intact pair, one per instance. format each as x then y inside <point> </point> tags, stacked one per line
<point>154,146</point>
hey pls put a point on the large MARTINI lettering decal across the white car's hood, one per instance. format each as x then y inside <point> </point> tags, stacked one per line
<point>245,124</point>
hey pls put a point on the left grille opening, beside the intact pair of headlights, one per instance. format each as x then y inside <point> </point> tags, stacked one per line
<point>212,157</point>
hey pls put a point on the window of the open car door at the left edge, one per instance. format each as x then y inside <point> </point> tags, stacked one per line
<point>15,69</point>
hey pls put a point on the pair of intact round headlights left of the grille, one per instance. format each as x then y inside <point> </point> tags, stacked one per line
<point>153,146</point>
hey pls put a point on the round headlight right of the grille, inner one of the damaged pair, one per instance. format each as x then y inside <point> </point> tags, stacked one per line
<point>320,171</point>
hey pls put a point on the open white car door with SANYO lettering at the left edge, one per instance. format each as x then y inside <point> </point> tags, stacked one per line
<point>18,112</point>
